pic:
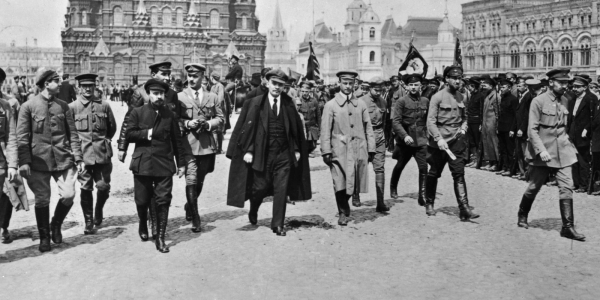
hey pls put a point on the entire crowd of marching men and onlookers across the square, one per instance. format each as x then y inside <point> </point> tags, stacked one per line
<point>539,130</point>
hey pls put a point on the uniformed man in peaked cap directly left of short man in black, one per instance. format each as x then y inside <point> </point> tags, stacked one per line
<point>96,127</point>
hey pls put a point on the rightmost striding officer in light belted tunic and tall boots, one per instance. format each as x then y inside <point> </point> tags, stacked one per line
<point>551,152</point>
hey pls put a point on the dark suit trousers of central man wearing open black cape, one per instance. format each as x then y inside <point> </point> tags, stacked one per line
<point>274,178</point>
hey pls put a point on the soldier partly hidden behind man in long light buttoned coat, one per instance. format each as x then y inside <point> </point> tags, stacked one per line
<point>377,109</point>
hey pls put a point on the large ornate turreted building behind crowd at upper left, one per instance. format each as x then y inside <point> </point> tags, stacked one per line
<point>120,39</point>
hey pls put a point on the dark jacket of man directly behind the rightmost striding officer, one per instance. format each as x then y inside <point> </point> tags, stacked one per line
<point>582,119</point>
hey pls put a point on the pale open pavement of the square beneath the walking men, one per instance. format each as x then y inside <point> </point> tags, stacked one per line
<point>400,255</point>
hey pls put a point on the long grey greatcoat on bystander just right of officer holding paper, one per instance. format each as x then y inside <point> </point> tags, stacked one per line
<point>489,125</point>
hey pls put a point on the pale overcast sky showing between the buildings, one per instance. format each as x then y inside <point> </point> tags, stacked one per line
<point>43,19</point>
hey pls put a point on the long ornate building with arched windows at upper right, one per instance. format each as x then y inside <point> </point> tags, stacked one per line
<point>530,36</point>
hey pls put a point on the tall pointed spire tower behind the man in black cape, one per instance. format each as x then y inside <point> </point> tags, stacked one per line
<point>278,52</point>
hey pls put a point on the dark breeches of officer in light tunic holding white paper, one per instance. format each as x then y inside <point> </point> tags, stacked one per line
<point>437,159</point>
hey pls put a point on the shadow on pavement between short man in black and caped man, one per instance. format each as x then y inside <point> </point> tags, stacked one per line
<point>177,235</point>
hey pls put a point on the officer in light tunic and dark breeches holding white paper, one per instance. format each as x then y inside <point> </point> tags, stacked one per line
<point>447,126</point>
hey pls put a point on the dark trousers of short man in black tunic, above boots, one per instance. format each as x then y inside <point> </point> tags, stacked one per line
<point>153,188</point>
